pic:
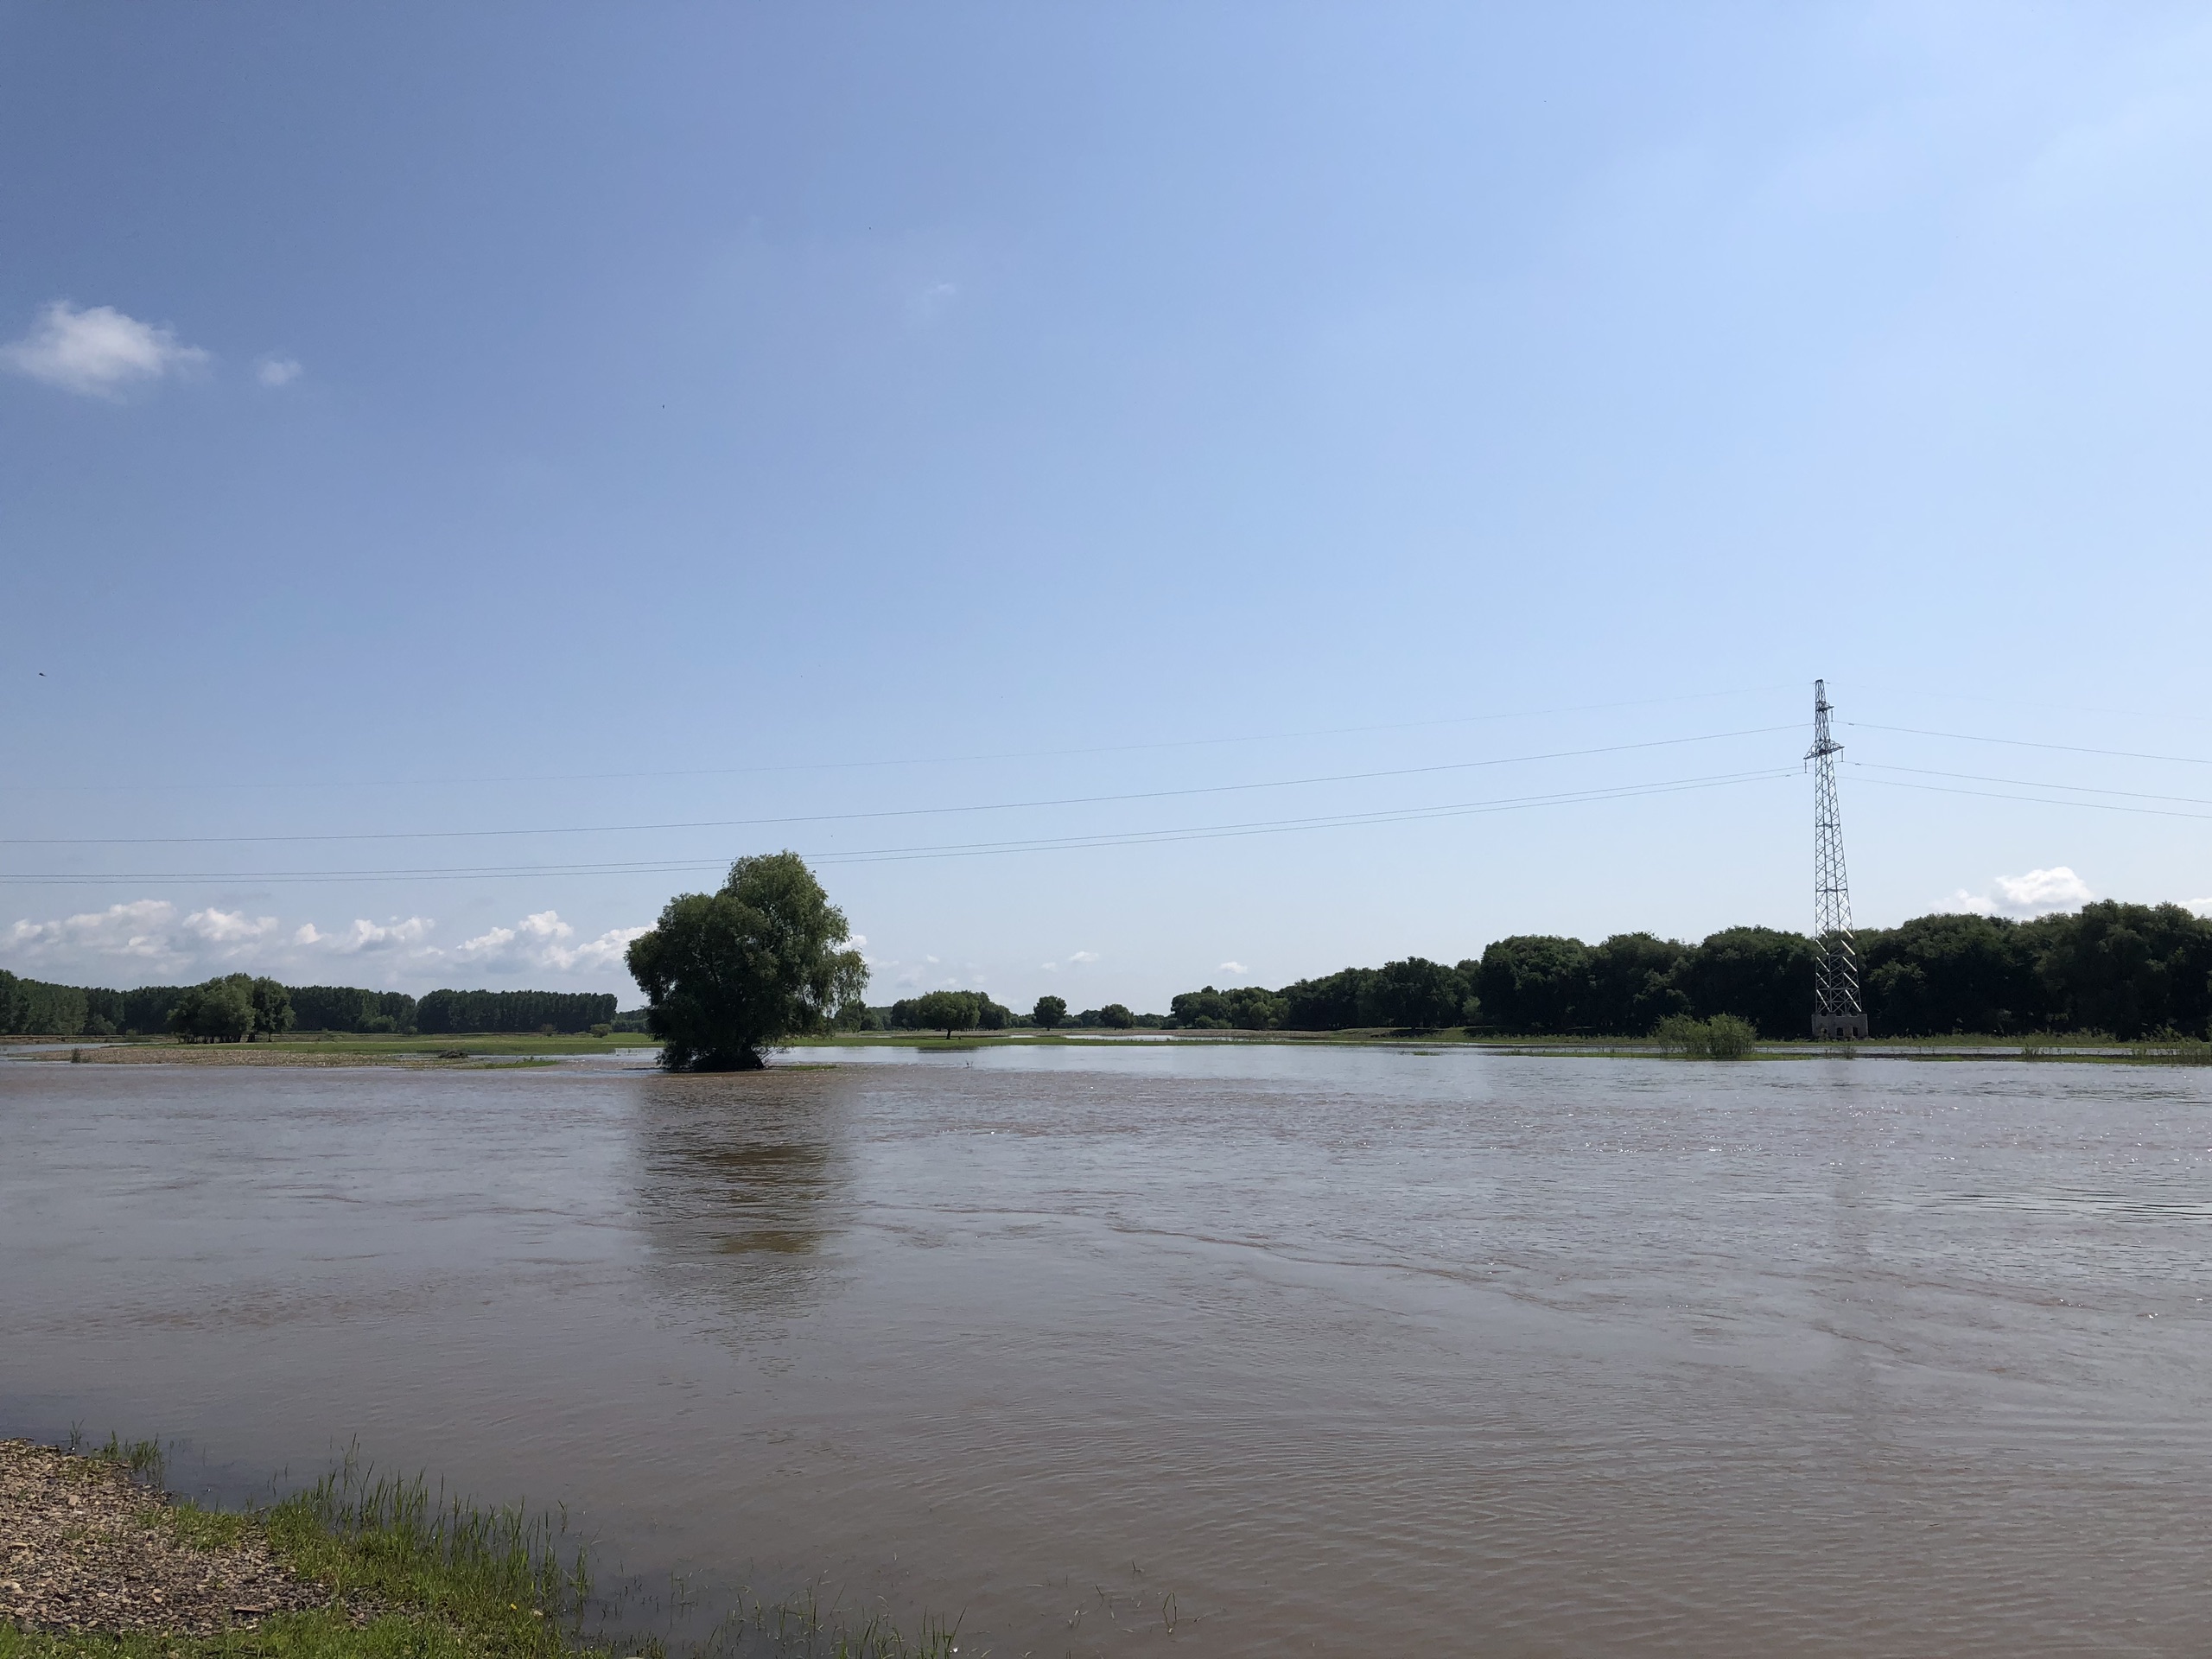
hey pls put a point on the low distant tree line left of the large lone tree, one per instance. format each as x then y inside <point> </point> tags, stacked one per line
<point>211,1010</point>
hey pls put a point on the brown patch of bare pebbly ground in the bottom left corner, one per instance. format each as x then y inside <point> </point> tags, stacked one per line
<point>90,1550</point>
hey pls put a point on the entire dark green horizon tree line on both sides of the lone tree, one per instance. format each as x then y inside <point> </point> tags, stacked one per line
<point>2125,970</point>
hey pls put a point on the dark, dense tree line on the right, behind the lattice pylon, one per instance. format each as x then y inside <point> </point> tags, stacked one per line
<point>2125,970</point>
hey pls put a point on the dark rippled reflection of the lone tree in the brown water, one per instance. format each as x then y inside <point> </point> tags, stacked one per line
<point>742,1185</point>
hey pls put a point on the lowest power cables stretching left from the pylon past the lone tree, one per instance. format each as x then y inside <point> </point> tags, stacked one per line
<point>943,851</point>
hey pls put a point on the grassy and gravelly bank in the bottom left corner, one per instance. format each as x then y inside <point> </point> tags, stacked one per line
<point>103,1565</point>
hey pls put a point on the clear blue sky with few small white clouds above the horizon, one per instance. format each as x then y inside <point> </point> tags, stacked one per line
<point>1193,432</point>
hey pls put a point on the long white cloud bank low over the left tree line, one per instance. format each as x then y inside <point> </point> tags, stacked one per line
<point>154,941</point>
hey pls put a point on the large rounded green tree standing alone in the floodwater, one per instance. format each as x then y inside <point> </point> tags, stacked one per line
<point>740,970</point>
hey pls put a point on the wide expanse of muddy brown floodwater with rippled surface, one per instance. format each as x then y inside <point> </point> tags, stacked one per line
<point>1342,1350</point>
